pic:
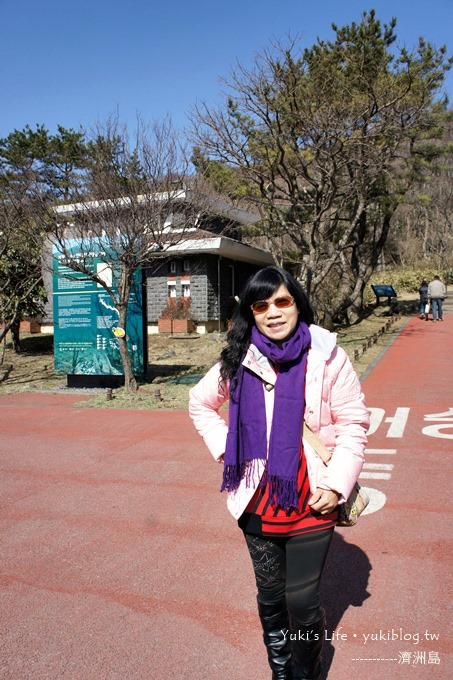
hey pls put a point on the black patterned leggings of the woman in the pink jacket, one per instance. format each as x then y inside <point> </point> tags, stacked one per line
<point>288,570</point>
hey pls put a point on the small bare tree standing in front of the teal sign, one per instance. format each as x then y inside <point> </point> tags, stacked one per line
<point>140,201</point>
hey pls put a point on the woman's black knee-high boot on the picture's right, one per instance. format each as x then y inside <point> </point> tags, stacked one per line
<point>306,645</point>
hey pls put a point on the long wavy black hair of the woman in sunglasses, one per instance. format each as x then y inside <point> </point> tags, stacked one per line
<point>260,286</point>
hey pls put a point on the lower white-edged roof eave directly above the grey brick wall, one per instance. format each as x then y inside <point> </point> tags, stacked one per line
<point>224,247</point>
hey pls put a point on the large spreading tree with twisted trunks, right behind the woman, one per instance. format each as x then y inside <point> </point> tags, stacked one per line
<point>326,139</point>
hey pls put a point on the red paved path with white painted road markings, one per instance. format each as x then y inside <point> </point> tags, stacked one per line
<point>120,561</point>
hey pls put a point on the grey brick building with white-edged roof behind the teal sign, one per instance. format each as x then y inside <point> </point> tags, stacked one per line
<point>204,268</point>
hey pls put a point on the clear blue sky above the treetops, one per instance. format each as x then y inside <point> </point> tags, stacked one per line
<point>76,62</point>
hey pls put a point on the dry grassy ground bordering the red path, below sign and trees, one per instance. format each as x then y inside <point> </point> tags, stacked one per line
<point>176,363</point>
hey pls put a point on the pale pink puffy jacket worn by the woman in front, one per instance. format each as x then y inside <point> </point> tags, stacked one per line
<point>335,409</point>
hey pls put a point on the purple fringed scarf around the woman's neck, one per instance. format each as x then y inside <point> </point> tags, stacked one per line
<point>246,439</point>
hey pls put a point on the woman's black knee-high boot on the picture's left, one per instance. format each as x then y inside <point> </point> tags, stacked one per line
<point>274,620</point>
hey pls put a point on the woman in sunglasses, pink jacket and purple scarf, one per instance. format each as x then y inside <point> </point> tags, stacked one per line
<point>278,369</point>
